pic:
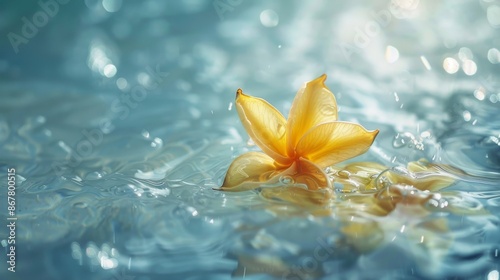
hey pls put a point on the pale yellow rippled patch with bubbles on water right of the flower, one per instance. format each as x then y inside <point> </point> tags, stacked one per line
<point>378,190</point>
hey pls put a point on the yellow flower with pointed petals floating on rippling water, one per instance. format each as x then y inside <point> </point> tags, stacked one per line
<point>298,149</point>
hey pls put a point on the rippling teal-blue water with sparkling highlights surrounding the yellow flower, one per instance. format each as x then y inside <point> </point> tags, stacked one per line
<point>118,118</point>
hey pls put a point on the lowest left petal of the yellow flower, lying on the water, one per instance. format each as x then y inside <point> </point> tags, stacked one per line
<point>248,171</point>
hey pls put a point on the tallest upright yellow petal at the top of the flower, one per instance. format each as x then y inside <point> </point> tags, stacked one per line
<point>314,104</point>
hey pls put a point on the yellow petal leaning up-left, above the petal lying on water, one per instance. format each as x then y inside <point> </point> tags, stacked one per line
<point>264,124</point>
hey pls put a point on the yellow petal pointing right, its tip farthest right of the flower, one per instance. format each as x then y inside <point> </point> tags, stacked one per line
<point>331,143</point>
